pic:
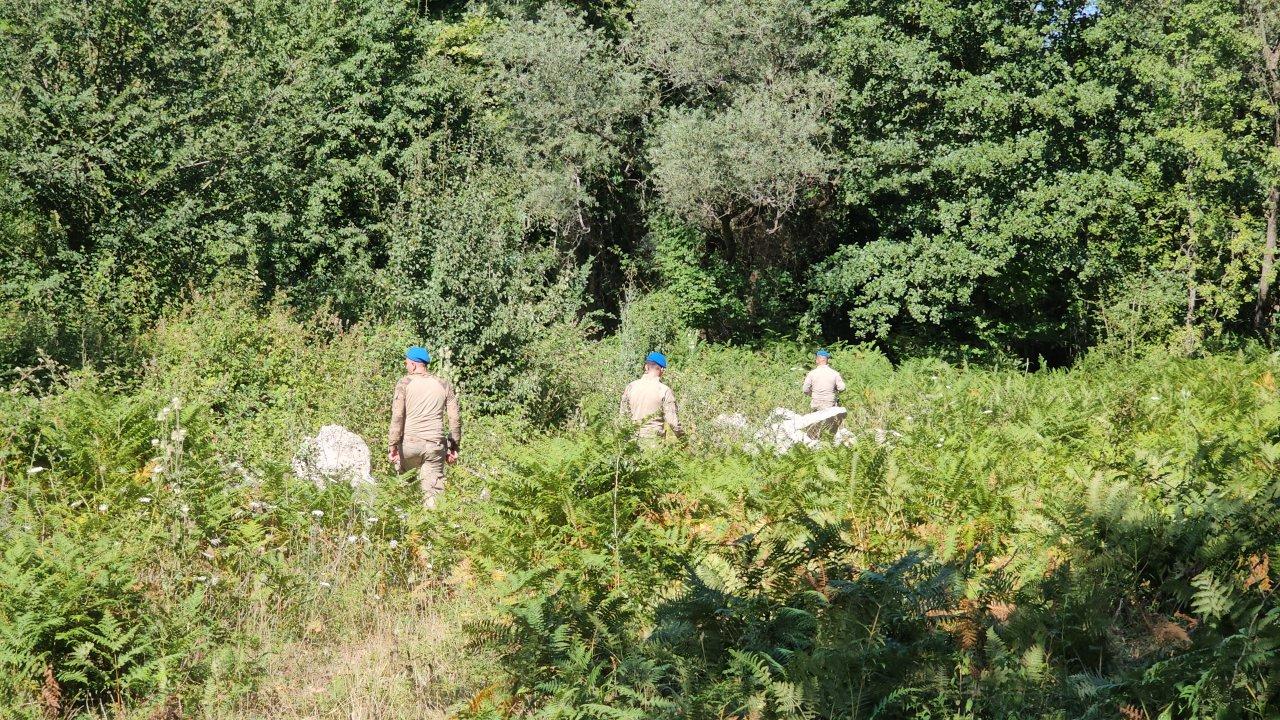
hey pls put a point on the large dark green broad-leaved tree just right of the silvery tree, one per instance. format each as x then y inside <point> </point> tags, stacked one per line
<point>970,177</point>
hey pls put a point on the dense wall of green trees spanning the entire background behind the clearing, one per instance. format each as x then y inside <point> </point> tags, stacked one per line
<point>1014,177</point>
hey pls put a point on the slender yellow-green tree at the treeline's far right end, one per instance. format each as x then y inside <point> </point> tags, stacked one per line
<point>1200,152</point>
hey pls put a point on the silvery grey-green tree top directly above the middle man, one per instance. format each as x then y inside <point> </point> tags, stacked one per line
<point>743,145</point>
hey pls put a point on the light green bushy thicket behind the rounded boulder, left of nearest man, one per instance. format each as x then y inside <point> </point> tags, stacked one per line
<point>273,377</point>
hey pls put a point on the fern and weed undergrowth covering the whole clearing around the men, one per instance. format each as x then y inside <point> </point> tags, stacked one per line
<point>995,544</point>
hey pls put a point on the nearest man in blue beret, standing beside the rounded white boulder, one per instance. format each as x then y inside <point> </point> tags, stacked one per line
<point>417,440</point>
